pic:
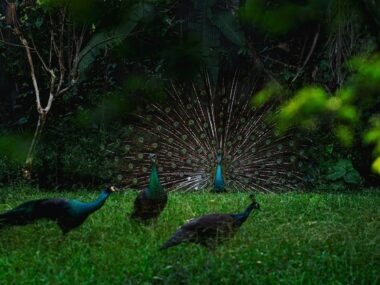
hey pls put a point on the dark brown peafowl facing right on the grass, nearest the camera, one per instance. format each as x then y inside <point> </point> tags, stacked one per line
<point>210,229</point>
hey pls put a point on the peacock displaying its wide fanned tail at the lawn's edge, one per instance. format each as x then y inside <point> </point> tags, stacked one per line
<point>211,137</point>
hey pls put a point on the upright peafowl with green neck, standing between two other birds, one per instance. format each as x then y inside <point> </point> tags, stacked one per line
<point>152,200</point>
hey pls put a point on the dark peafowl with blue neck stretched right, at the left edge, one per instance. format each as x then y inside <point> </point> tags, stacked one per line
<point>68,214</point>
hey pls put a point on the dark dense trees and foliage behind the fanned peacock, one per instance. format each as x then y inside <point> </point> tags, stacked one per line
<point>72,72</point>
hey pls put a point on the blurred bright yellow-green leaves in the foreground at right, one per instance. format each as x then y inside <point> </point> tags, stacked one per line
<point>310,105</point>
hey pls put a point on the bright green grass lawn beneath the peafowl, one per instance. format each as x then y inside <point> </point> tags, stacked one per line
<point>295,239</point>
